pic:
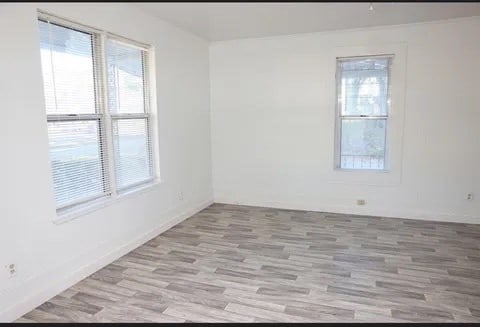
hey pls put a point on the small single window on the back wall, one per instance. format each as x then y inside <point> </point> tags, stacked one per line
<point>363,101</point>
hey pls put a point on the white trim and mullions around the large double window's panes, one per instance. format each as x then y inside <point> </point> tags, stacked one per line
<point>113,195</point>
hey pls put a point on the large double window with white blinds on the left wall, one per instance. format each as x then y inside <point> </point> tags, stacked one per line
<point>97,104</point>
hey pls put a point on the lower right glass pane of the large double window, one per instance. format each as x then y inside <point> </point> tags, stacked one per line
<point>132,156</point>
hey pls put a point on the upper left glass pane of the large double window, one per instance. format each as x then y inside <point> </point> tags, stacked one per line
<point>67,66</point>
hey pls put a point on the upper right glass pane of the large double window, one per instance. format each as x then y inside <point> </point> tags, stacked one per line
<point>125,78</point>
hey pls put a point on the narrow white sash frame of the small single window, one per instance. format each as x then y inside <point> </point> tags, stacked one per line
<point>339,117</point>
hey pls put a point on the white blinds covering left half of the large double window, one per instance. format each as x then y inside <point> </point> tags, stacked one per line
<point>74,121</point>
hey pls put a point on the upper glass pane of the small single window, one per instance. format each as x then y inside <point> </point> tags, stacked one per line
<point>364,86</point>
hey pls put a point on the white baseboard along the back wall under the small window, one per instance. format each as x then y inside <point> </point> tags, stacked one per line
<point>380,212</point>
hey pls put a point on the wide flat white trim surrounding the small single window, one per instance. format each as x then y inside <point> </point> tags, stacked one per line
<point>392,173</point>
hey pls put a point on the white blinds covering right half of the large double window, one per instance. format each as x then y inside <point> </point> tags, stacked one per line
<point>128,105</point>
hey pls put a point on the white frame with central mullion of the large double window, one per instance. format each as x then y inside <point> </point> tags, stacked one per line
<point>103,115</point>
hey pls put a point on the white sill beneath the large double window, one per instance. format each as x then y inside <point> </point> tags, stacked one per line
<point>84,209</point>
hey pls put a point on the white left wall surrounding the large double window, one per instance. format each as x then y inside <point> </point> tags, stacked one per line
<point>51,257</point>
